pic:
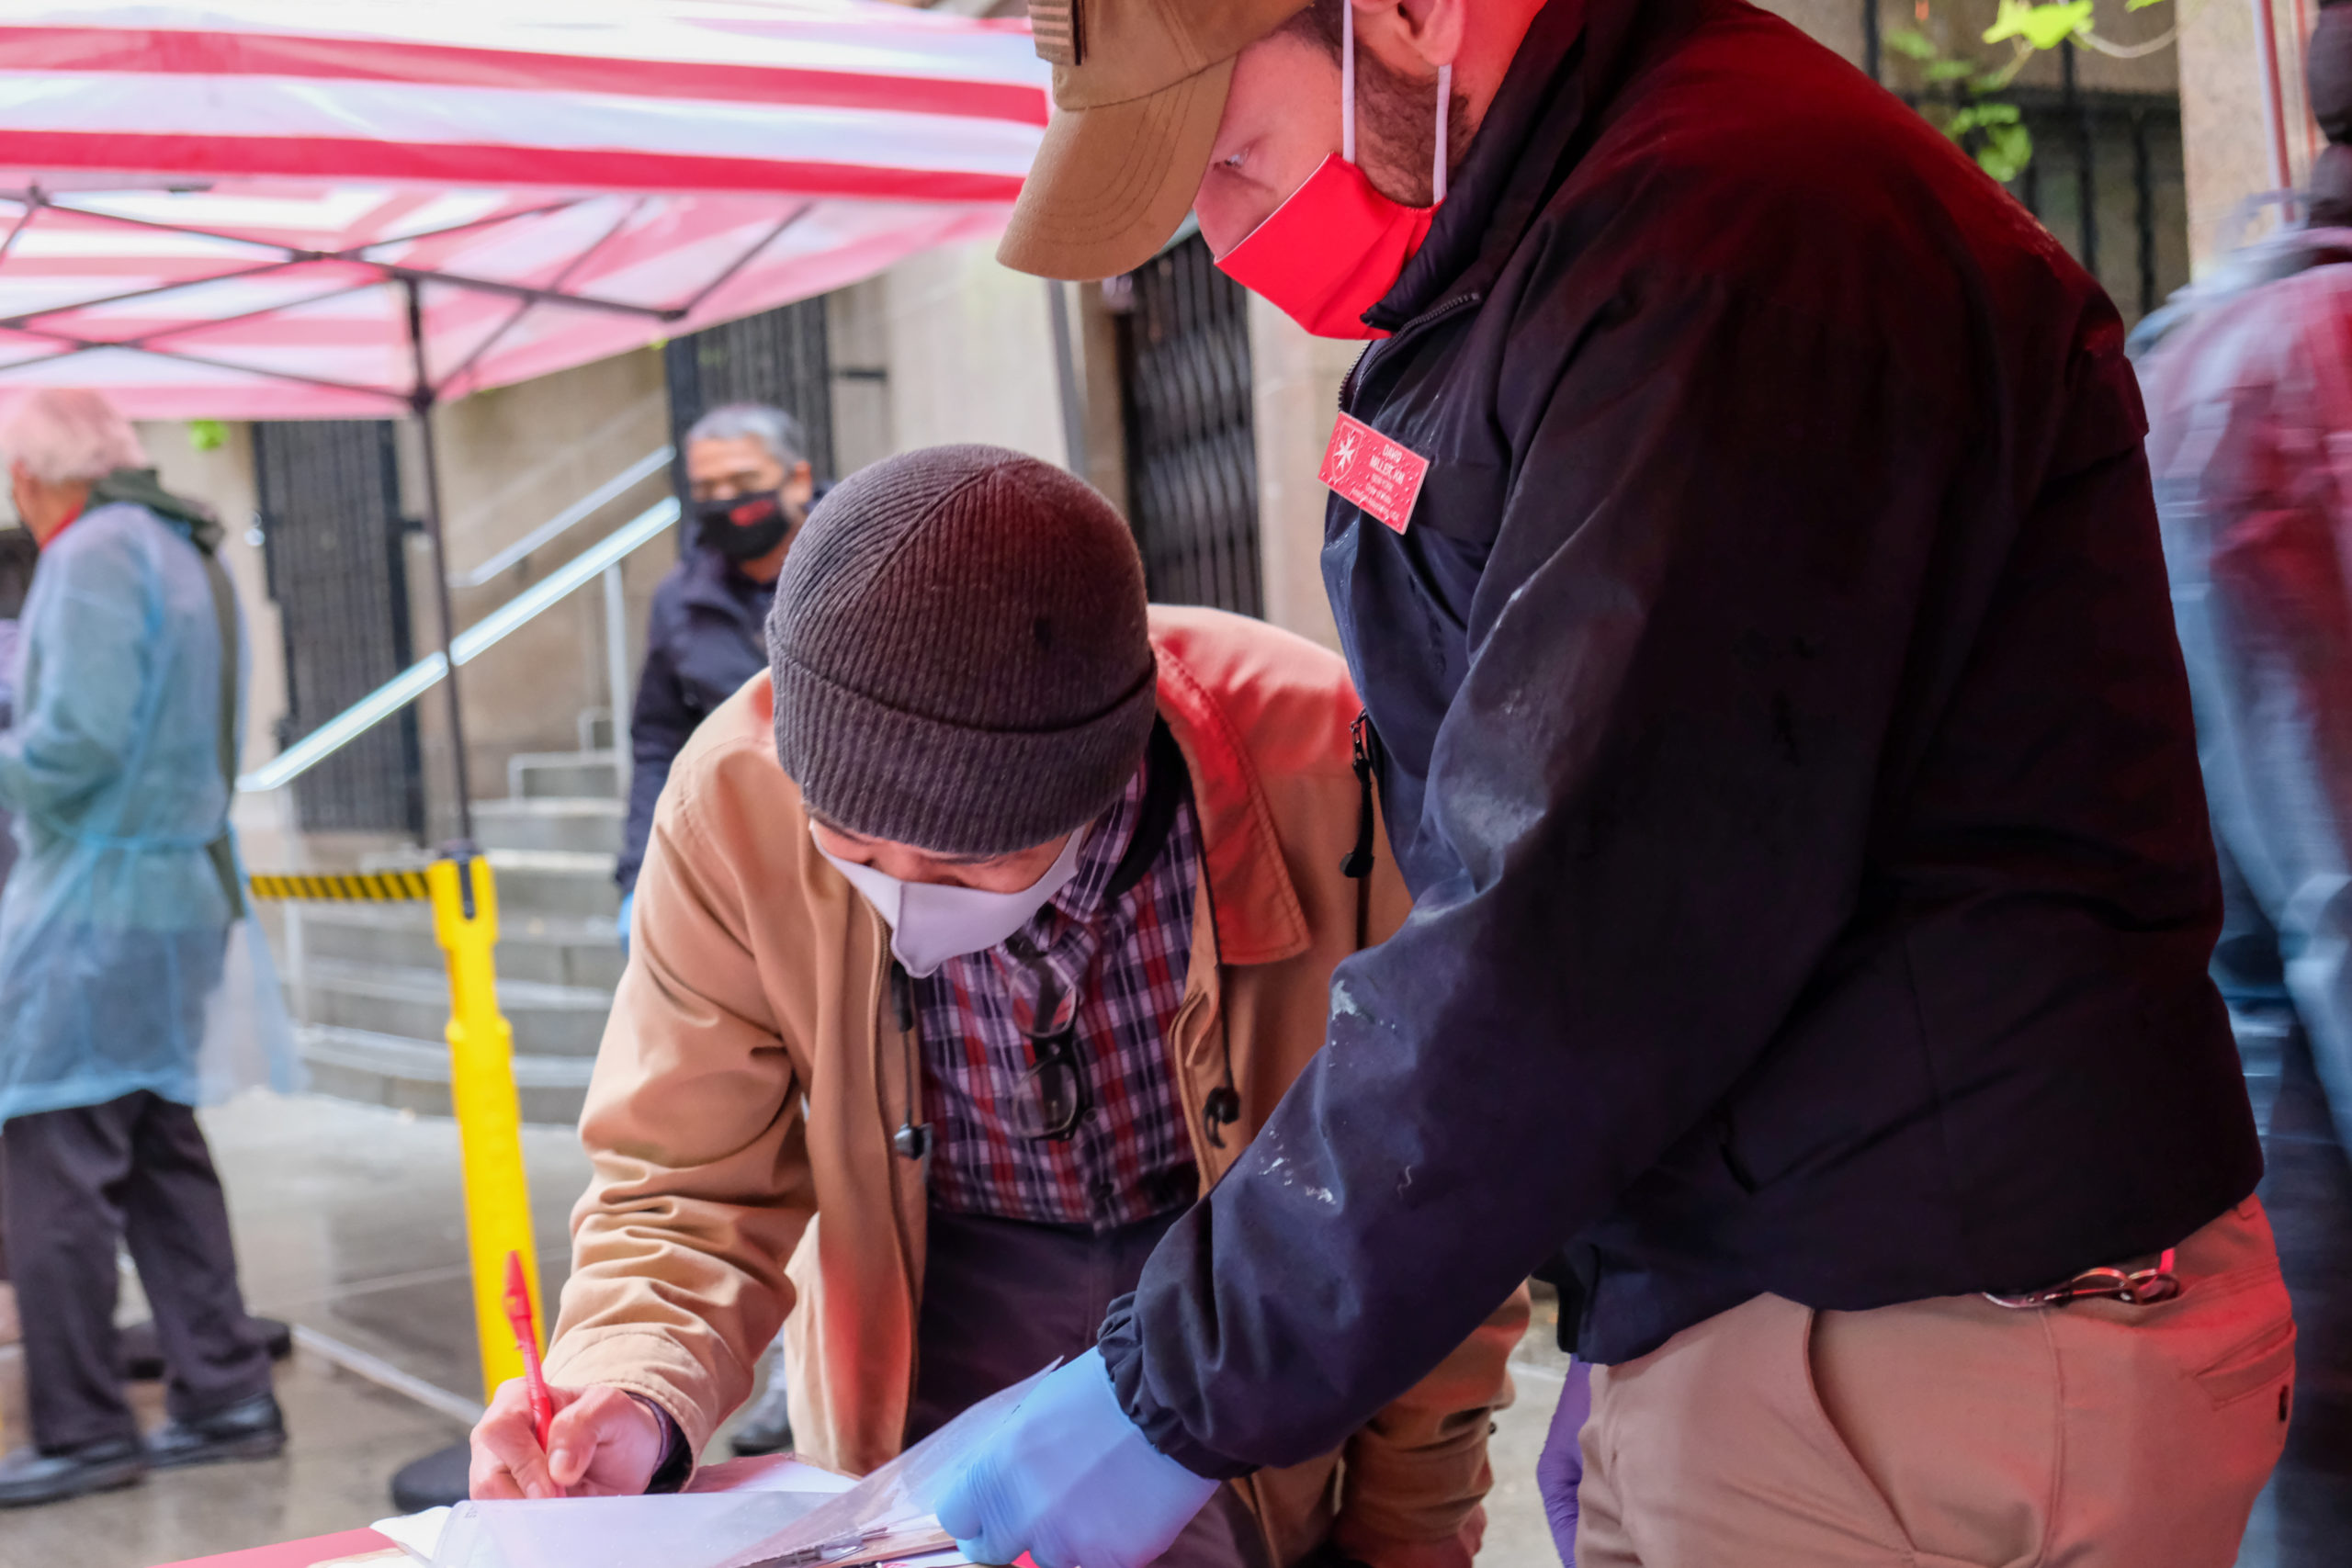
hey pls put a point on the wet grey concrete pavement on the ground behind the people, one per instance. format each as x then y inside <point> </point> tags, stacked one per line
<point>352,1228</point>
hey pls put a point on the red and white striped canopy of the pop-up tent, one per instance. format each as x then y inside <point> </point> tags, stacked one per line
<point>227,210</point>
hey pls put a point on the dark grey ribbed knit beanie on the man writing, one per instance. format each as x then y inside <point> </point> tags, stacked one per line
<point>961,655</point>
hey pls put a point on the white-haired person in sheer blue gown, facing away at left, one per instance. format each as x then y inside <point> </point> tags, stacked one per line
<point>131,979</point>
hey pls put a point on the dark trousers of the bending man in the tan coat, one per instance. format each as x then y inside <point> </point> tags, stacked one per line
<point>1003,1299</point>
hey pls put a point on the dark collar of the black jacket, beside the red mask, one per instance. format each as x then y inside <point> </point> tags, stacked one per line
<point>1537,128</point>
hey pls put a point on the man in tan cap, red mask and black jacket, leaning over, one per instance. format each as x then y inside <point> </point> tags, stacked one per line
<point>1744,547</point>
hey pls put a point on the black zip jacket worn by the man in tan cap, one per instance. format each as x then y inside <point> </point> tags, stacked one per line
<point>1786,744</point>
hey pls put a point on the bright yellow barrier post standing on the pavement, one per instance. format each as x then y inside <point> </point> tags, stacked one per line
<point>488,1108</point>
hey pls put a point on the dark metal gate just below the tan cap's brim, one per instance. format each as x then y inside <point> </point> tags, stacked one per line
<point>1191,443</point>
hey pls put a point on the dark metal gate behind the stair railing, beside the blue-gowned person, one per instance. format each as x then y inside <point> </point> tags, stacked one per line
<point>333,544</point>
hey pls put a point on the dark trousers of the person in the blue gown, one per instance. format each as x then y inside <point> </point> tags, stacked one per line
<point>81,1181</point>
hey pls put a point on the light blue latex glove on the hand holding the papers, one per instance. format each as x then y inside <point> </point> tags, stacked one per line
<point>1071,1482</point>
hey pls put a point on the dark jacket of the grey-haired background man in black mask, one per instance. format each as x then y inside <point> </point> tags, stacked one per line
<point>704,638</point>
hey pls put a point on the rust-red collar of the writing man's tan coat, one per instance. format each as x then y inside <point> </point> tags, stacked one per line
<point>1257,911</point>
